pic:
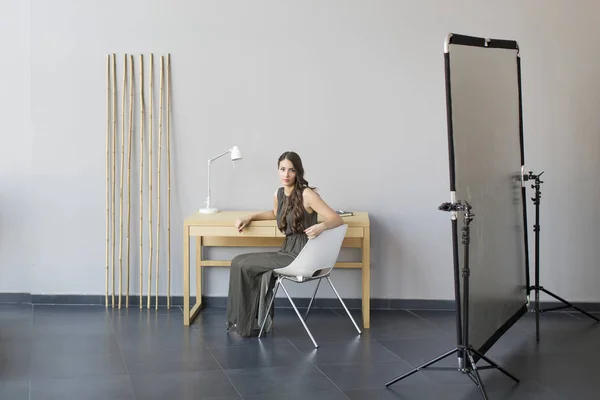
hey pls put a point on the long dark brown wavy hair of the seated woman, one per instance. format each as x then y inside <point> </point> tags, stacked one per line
<point>294,203</point>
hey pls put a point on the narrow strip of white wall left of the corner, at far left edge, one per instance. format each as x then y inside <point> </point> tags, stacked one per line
<point>17,246</point>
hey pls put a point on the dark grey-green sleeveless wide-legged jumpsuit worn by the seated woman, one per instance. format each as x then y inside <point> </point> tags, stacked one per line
<point>251,278</point>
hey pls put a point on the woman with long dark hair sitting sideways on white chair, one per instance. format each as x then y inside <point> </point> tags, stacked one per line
<point>251,281</point>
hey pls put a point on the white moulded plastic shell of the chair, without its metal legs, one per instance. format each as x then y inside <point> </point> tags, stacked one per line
<point>318,256</point>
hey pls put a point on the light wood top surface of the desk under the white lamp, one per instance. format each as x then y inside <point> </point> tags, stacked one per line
<point>228,217</point>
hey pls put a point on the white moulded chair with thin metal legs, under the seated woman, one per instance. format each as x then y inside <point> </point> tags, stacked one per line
<point>315,262</point>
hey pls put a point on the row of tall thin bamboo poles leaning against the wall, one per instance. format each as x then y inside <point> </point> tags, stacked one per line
<point>112,138</point>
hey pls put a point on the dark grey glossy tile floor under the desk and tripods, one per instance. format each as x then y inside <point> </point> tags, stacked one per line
<point>86,352</point>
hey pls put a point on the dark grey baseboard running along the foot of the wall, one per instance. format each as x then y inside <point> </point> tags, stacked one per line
<point>221,301</point>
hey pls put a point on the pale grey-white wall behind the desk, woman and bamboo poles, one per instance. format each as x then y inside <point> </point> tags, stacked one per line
<point>357,88</point>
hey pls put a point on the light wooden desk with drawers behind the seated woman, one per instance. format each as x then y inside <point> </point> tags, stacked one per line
<point>217,230</point>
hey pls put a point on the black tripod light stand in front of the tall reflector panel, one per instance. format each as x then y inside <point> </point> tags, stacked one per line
<point>466,352</point>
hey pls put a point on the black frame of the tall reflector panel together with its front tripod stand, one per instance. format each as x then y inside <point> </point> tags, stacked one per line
<point>467,355</point>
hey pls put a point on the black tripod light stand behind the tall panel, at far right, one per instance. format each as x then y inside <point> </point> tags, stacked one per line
<point>536,229</point>
